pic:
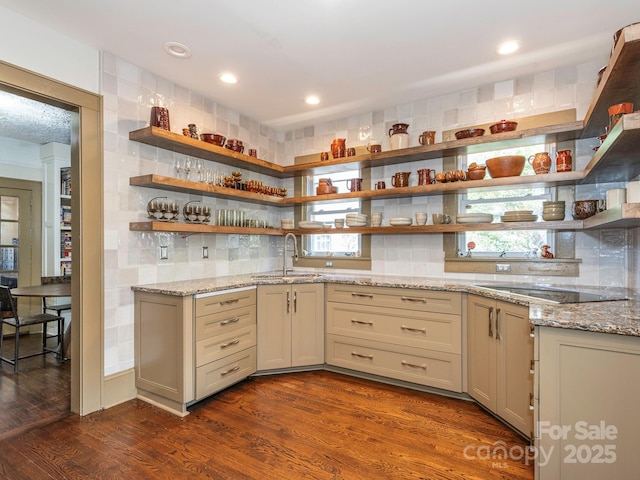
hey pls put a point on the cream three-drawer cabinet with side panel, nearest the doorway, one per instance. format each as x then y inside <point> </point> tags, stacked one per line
<point>187,348</point>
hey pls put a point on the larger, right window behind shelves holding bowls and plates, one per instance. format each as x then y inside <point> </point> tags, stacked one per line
<point>516,243</point>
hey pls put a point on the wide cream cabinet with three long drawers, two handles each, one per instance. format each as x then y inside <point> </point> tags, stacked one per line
<point>404,334</point>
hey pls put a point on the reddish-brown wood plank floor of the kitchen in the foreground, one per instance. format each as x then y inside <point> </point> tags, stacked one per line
<point>311,425</point>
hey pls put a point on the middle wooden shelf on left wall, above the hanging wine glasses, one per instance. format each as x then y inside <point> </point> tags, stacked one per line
<point>187,186</point>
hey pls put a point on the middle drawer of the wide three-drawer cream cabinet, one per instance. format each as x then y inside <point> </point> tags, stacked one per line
<point>435,331</point>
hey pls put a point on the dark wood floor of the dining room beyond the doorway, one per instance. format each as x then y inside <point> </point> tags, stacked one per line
<point>38,394</point>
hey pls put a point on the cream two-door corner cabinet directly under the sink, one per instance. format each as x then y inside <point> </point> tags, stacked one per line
<point>290,325</point>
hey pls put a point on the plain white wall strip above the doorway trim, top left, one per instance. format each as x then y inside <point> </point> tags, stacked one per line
<point>35,47</point>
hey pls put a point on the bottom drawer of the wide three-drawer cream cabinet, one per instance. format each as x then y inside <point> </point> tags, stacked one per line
<point>424,367</point>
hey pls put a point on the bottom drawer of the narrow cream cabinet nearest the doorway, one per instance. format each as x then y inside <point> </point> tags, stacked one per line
<point>215,376</point>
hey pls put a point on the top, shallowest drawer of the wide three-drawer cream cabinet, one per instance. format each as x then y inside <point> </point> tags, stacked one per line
<point>404,298</point>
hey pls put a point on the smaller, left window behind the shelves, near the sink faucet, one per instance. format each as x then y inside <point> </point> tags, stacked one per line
<point>332,245</point>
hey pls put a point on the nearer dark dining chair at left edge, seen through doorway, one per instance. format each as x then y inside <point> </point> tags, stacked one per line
<point>17,322</point>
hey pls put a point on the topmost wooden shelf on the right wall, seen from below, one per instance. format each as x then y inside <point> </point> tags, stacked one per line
<point>619,82</point>
